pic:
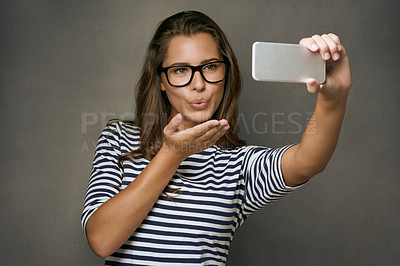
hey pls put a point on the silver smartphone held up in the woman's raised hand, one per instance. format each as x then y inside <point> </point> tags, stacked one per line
<point>284,62</point>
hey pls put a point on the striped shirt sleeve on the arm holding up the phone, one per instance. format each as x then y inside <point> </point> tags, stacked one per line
<point>263,177</point>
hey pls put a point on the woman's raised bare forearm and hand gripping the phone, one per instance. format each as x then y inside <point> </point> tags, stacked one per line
<point>319,140</point>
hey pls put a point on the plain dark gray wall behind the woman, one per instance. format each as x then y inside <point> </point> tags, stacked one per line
<point>68,66</point>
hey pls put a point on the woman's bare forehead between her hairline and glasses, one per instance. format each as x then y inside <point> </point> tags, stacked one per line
<point>193,49</point>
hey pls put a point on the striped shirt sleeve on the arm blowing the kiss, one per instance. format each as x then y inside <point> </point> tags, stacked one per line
<point>106,175</point>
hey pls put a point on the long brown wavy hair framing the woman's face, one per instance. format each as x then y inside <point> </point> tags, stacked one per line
<point>152,105</point>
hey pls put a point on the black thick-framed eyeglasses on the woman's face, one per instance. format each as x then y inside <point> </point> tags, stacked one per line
<point>182,75</point>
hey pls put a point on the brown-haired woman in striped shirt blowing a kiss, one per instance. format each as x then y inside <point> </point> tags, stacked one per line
<point>174,188</point>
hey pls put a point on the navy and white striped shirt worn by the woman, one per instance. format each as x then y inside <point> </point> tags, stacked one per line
<point>218,190</point>
